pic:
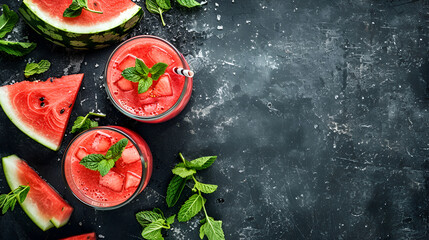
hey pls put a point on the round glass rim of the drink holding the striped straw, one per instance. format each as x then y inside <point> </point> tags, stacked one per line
<point>135,116</point>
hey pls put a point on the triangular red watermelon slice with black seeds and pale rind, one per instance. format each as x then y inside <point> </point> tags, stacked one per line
<point>41,109</point>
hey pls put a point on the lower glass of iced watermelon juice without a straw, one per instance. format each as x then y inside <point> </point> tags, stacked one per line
<point>123,182</point>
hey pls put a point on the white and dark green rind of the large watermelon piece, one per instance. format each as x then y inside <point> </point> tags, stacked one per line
<point>80,37</point>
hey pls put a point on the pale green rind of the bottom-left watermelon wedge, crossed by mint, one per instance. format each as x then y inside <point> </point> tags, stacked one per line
<point>10,169</point>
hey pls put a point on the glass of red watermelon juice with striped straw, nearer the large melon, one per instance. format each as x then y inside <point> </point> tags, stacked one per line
<point>165,98</point>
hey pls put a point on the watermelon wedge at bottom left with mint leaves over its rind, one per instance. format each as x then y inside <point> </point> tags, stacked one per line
<point>43,204</point>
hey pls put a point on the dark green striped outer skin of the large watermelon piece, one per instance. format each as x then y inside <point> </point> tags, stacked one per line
<point>79,41</point>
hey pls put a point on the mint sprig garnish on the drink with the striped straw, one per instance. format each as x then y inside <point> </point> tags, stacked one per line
<point>140,73</point>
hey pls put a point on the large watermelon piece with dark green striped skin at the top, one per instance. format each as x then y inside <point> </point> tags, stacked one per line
<point>87,31</point>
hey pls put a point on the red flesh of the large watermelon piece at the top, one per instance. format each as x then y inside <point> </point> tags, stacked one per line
<point>111,9</point>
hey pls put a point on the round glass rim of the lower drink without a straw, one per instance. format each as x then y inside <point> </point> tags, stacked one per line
<point>142,179</point>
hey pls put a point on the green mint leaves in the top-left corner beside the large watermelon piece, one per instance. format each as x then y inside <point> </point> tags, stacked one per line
<point>7,22</point>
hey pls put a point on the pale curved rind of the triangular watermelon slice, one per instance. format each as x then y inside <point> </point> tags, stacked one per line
<point>7,106</point>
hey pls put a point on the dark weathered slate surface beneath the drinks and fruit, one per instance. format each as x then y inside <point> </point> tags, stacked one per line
<point>318,111</point>
